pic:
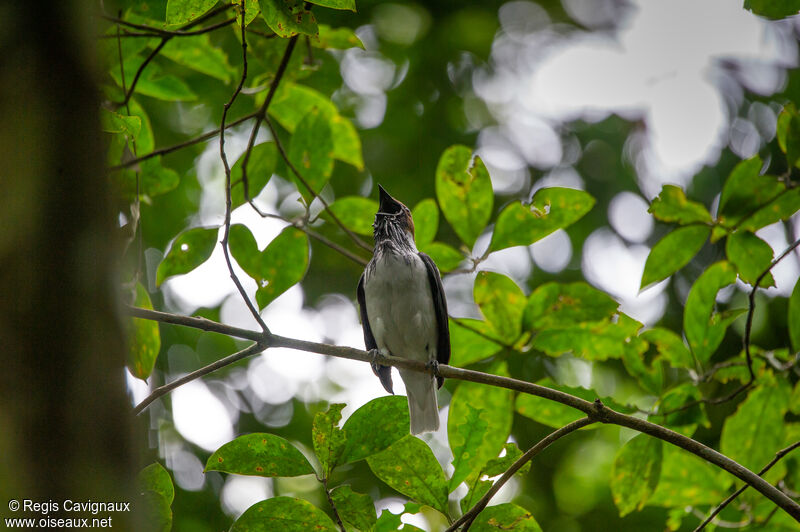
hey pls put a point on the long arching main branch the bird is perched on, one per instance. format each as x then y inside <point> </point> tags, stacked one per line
<point>595,409</point>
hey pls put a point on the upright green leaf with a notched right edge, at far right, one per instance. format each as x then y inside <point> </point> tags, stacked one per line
<point>705,329</point>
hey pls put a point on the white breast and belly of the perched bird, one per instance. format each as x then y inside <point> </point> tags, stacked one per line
<point>400,306</point>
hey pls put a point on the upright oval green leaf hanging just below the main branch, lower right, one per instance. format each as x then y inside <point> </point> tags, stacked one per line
<point>635,474</point>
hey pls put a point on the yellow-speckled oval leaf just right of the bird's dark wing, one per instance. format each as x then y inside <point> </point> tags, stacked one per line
<point>502,303</point>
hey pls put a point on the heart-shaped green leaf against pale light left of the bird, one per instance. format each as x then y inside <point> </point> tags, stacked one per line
<point>282,264</point>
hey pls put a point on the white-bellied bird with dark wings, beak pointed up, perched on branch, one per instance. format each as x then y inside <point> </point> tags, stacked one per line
<point>404,311</point>
